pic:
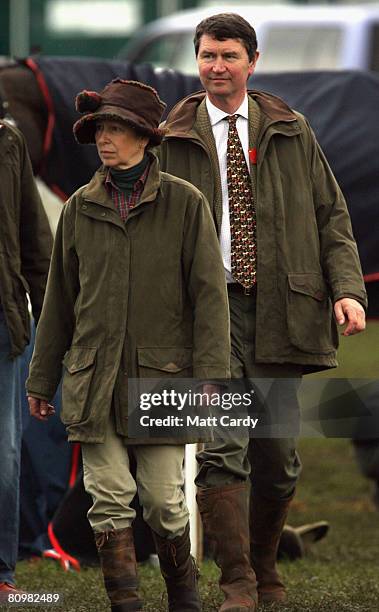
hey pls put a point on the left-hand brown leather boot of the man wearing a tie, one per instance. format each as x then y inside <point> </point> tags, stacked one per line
<point>224,514</point>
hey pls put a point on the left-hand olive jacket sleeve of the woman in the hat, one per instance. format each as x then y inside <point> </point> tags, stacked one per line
<point>56,325</point>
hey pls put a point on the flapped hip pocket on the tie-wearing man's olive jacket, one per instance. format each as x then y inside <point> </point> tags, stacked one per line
<point>311,325</point>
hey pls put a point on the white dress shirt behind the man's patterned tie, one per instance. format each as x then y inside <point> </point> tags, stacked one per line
<point>220,128</point>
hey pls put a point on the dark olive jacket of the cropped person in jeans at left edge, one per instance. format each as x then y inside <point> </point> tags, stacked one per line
<point>25,239</point>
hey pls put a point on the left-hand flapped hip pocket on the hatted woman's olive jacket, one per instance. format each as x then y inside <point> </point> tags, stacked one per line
<point>79,363</point>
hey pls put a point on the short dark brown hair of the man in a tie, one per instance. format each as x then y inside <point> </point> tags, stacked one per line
<point>227,25</point>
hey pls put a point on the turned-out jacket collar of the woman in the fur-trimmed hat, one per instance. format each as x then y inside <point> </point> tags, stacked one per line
<point>96,191</point>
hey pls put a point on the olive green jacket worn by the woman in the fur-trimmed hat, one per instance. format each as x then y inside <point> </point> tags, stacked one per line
<point>146,298</point>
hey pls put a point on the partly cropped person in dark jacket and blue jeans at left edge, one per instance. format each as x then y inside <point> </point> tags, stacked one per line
<point>25,245</point>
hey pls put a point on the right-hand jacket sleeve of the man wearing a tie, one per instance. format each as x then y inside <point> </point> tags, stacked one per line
<point>338,250</point>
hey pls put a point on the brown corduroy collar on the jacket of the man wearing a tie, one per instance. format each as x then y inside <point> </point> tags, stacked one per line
<point>180,121</point>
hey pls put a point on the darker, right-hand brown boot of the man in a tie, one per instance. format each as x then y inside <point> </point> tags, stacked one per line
<point>267,518</point>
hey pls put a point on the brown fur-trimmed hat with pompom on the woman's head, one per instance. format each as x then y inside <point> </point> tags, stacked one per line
<point>134,103</point>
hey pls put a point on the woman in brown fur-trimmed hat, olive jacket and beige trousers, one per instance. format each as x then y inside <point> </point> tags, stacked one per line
<point>136,289</point>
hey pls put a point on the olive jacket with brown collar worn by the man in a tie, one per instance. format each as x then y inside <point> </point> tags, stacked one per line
<point>307,256</point>
